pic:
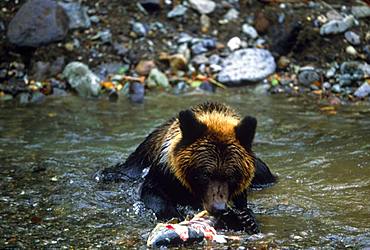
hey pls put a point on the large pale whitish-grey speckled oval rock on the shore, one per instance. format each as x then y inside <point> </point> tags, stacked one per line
<point>247,65</point>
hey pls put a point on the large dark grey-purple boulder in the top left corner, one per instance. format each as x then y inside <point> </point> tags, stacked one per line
<point>37,23</point>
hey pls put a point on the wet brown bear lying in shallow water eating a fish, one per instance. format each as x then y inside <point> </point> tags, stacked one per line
<point>202,158</point>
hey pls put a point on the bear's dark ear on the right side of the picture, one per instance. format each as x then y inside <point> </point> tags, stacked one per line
<point>245,131</point>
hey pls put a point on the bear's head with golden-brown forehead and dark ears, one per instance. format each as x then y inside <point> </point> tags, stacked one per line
<point>213,156</point>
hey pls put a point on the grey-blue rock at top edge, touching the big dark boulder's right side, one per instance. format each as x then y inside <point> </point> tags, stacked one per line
<point>77,14</point>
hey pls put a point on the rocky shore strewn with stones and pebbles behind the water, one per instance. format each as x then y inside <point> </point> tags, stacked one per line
<point>123,49</point>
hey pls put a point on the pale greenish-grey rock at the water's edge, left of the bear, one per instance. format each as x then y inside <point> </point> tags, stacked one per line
<point>82,79</point>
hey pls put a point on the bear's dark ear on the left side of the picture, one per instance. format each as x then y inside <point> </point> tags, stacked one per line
<point>191,128</point>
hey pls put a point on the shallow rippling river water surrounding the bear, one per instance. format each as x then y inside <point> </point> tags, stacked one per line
<point>50,152</point>
